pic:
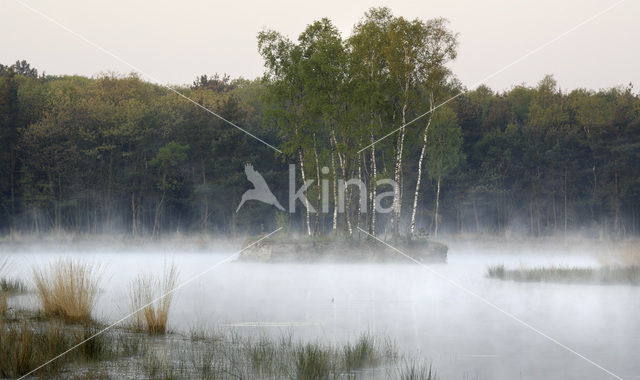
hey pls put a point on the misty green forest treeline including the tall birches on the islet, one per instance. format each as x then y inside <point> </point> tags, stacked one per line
<point>114,153</point>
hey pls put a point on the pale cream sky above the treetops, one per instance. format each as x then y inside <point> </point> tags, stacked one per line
<point>175,41</point>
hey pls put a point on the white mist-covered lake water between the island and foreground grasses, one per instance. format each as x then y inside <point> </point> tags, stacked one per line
<point>426,316</point>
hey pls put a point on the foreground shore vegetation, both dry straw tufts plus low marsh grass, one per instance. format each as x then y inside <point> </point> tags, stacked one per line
<point>144,347</point>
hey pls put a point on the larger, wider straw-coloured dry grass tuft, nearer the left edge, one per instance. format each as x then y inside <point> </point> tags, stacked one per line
<point>68,289</point>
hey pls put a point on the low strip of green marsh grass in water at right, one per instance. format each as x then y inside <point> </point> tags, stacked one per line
<point>629,275</point>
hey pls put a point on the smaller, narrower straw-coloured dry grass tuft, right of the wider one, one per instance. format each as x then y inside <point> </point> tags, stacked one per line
<point>152,313</point>
